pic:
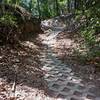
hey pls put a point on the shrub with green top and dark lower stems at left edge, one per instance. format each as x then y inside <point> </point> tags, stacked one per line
<point>8,28</point>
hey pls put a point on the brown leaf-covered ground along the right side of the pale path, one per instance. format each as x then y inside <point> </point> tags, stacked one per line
<point>68,47</point>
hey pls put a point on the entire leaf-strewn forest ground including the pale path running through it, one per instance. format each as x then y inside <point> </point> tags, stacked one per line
<point>47,68</point>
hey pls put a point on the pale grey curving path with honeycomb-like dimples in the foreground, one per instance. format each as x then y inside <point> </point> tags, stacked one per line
<point>62,82</point>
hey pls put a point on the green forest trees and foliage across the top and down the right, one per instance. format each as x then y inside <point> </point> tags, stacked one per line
<point>84,12</point>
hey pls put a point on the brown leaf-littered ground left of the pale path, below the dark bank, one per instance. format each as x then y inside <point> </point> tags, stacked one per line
<point>21,76</point>
